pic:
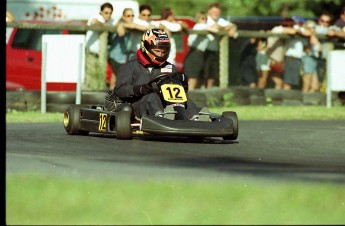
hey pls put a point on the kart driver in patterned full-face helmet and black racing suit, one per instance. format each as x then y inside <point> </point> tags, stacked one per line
<point>132,84</point>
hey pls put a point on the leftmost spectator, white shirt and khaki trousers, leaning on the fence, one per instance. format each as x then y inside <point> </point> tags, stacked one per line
<point>94,80</point>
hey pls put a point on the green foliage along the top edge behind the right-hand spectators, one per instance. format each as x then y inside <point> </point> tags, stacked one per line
<point>307,8</point>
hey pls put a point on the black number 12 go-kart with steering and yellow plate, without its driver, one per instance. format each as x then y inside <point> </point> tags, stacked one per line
<point>119,118</point>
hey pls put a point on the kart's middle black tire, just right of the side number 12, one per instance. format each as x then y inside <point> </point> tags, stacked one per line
<point>123,125</point>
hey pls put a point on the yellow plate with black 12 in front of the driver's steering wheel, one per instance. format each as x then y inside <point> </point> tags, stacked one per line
<point>173,93</point>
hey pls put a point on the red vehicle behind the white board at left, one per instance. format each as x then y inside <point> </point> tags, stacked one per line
<point>24,58</point>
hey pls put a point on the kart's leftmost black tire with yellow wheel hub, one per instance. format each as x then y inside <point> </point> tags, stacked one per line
<point>71,120</point>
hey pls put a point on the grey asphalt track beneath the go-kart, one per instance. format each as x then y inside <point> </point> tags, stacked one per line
<point>284,150</point>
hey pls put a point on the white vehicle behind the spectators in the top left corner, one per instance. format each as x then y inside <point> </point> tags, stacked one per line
<point>65,9</point>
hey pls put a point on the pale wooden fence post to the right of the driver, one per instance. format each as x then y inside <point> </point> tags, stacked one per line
<point>223,62</point>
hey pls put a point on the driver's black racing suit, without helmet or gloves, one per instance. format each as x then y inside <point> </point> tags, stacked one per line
<point>134,73</point>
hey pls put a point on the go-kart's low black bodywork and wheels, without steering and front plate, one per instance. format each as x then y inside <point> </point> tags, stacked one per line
<point>82,119</point>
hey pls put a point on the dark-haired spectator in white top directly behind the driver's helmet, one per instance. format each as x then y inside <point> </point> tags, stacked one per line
<point>144,19</point>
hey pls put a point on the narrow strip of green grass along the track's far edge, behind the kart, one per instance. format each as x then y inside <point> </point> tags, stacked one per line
<point>243,112</point>
